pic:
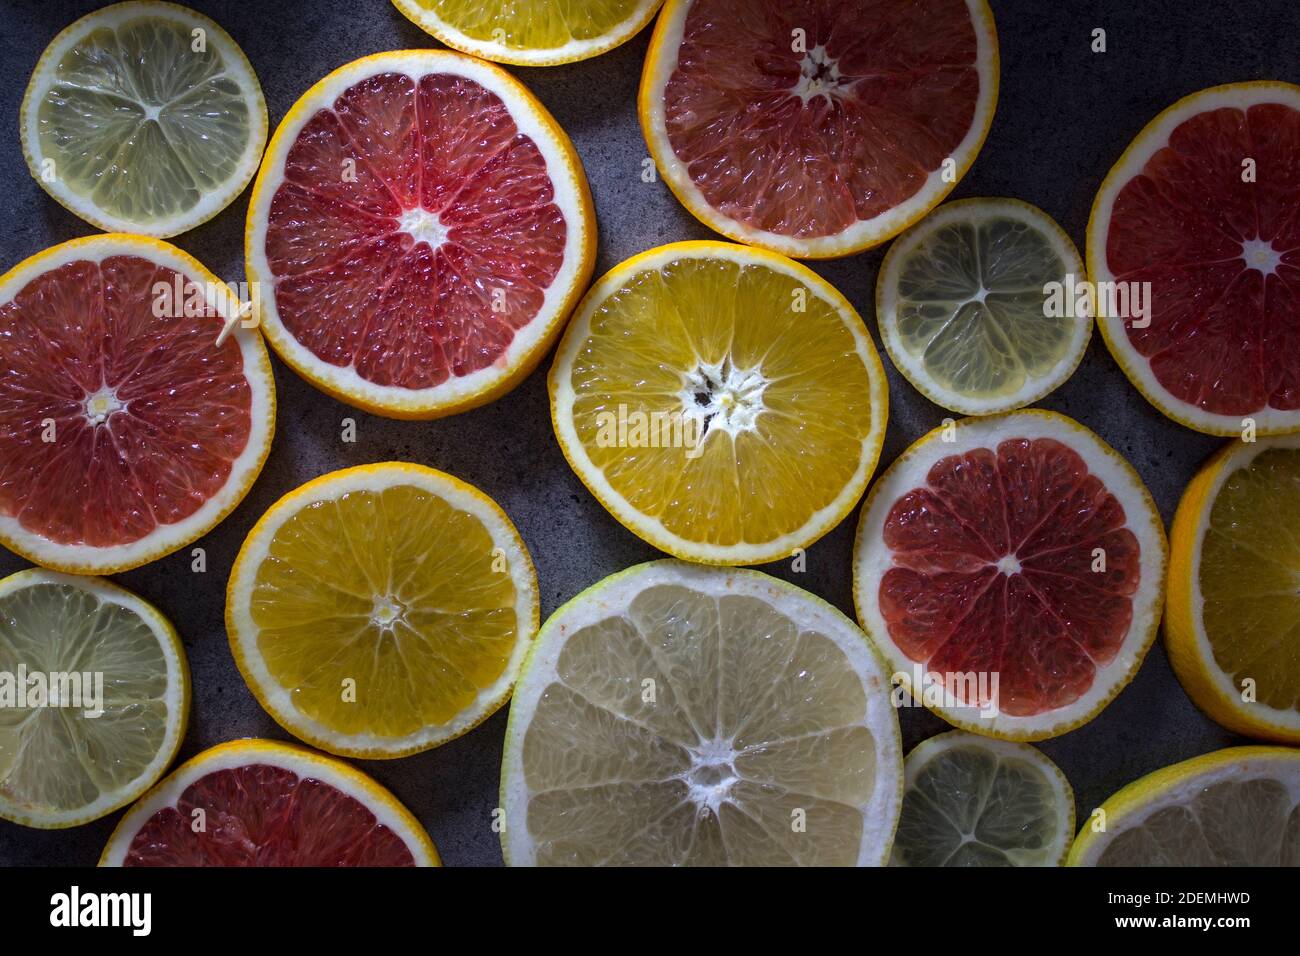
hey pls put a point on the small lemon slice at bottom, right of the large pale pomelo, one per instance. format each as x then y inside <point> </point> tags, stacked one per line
<point>974,802</point>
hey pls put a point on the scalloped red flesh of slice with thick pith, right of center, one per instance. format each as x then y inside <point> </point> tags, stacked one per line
<point>994,570</point>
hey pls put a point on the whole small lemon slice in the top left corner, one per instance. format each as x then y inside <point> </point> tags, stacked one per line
<point>144,118</point>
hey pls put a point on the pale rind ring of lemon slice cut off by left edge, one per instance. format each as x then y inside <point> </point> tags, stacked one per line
<point>176,699</point>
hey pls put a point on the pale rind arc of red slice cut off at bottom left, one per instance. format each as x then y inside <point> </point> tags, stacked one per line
<point>241,754</point>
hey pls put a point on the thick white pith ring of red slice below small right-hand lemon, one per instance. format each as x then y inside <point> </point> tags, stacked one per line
<point>873,560</point>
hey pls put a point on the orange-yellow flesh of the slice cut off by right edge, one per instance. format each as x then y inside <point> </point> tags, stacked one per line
<point>1250,570</point>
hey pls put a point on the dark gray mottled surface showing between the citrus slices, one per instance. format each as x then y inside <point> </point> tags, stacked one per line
<point>1064,116</point>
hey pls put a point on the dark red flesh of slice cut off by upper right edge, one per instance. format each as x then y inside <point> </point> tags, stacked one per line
<point>1223,257</point>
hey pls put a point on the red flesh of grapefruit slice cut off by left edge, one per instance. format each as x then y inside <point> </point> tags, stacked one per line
<point>119,422</point>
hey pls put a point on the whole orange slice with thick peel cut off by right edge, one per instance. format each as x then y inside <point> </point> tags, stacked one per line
<point>1234,607</point>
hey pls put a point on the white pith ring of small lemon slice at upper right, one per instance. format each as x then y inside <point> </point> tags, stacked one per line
<point>913,366</point>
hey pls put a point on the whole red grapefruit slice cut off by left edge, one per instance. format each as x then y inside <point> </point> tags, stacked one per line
<point>128,430</point>
